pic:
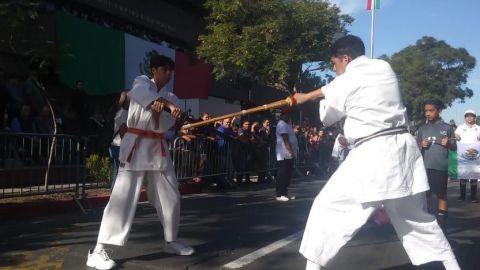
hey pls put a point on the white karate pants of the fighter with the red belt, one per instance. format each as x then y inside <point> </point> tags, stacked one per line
<point>163,194</point>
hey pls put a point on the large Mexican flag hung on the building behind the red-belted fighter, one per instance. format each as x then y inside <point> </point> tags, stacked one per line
<point>108,60</point>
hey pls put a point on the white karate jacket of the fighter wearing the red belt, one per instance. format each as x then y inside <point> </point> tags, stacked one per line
<point>147,152</point>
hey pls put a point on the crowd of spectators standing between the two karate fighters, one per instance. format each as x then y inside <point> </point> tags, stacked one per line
<point>252,148</point>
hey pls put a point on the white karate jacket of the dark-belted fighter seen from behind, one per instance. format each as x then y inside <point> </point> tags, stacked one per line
<point>386,167</point>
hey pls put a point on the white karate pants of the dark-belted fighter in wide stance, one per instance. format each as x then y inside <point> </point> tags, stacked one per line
<point>335,218</point>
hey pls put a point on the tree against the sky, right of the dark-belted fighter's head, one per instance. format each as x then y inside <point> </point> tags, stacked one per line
<point>432,69</point>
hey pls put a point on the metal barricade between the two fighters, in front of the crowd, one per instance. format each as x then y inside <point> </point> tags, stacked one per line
<point>203,157</point>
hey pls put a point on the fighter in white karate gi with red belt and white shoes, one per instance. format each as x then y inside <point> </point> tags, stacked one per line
<point>144,157</point>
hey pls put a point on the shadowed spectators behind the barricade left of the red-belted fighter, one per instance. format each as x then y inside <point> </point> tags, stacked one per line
<point>27,106</point>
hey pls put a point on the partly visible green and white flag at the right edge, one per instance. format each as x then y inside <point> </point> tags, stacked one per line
<point>465,162</point>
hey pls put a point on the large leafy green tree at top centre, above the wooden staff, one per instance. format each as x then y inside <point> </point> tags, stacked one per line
<point>267,41</point>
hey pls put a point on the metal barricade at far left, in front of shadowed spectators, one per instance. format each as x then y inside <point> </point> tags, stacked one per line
<point>24,160</point>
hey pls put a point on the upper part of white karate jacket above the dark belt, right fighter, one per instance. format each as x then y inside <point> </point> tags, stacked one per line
<point>367,94</point>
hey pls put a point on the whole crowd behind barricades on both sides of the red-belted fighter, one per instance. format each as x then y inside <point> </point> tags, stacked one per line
<point>25,109</point>
